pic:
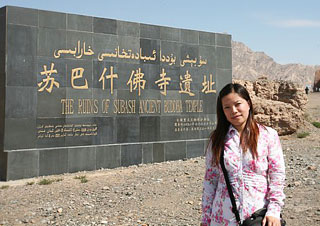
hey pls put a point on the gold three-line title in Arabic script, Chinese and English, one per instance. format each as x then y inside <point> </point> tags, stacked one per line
<point>185,83</point>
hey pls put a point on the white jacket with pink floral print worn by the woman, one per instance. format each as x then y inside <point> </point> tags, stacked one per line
<point>256,183</point>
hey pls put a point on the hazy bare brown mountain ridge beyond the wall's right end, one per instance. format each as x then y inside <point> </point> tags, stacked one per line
<point>250,65</point>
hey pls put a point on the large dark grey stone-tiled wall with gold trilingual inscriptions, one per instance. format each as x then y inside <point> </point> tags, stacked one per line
<point>84,93</point>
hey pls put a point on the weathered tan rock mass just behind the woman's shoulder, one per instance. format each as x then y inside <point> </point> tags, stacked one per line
<point>279,104</point>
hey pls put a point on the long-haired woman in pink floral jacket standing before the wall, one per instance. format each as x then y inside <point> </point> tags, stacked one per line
<point>253,158</point>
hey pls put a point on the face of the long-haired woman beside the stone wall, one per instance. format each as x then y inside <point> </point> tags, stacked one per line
<point>236,110</point>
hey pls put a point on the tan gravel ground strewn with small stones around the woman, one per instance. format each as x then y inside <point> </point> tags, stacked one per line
<point>167,193</point>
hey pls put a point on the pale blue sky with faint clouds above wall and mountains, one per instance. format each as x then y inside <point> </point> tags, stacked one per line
<point>286,30</point>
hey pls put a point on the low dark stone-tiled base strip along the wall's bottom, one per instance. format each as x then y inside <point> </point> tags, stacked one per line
<point>29,163</point>
